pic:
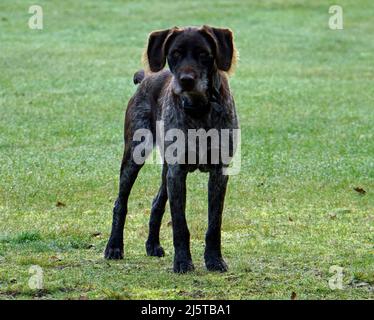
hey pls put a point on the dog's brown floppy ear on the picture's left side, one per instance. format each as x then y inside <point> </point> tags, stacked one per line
<point>157,46</point>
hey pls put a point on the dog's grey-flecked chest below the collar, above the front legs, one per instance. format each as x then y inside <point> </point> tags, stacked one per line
<point>199,142</point>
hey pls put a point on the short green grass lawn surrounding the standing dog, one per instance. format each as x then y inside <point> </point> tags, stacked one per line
<point>305,97</point>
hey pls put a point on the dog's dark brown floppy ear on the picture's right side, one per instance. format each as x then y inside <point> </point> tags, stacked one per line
<point>223,43</point>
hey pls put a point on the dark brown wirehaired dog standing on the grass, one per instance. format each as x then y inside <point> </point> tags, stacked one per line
<point>193,94</point>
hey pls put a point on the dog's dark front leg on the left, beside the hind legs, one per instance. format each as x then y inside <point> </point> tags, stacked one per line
<point>176,188</point>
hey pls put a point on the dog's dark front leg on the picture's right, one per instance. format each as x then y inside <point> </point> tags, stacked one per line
<point>216,194</point>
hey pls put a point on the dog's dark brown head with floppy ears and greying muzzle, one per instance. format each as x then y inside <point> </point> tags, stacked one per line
<point>193,55</point>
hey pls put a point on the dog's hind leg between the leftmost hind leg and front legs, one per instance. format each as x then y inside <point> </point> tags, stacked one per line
<point>152,245</point>
